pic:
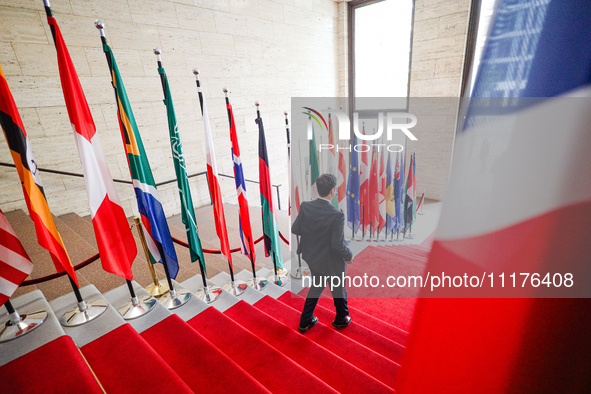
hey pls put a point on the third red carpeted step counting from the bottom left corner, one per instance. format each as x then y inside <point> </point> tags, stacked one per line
<point>196,360</point>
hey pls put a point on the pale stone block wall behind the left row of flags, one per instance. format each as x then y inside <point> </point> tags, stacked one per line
<point>260,49</point>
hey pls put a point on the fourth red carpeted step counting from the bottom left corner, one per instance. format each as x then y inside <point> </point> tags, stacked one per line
<point>255,356</point>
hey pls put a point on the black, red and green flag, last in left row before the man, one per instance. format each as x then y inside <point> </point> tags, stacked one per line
<point>270,227</point>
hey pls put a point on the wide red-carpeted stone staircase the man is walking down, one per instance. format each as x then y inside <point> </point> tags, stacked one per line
<point>247,344</point>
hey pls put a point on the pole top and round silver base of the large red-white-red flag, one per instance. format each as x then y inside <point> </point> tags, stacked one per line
<point>84,311</point>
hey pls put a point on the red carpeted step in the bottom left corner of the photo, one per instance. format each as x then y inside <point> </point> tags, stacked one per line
<point>55,367</point>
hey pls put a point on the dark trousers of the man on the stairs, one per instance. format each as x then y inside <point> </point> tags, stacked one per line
<point>339,295</point>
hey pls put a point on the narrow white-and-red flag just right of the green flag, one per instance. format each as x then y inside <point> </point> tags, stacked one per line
<point>214,182</point>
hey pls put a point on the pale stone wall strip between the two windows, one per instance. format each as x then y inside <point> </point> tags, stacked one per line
<point>439,40</point>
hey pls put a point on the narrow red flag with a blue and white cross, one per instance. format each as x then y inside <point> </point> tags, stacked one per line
<point>246,238</point>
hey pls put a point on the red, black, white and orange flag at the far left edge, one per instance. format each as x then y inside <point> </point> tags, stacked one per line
<point>26,166</point>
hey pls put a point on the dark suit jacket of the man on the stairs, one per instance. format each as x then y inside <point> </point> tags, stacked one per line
<point>322,242</point>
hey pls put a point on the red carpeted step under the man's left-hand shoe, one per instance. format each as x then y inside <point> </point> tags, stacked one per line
<point>367,360</point>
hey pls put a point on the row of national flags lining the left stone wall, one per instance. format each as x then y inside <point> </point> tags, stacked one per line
<point>115,241</point>
